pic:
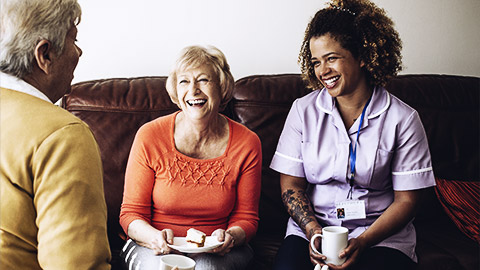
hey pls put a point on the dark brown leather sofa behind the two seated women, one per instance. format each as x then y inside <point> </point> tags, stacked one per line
<point>448,105</point>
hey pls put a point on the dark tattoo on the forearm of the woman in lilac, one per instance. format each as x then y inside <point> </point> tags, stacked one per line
<point>299,207</point>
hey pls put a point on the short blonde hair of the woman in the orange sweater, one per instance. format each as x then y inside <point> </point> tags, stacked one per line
<point>194,56</point>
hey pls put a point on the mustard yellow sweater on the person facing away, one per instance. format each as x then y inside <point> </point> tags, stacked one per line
<point>52,207</point>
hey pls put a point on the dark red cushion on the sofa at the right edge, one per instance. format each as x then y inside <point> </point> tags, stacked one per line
<point>460,201</point>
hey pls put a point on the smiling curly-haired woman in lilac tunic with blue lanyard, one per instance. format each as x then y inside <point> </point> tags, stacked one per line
<point>352,145</point>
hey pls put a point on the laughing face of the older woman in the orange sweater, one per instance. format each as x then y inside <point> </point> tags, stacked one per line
<point>198,92</point>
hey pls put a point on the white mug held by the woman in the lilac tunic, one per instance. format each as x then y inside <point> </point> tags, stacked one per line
<point>334,240</point>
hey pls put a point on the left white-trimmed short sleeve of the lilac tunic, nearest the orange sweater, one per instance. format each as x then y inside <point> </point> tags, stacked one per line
<point>288,155</point>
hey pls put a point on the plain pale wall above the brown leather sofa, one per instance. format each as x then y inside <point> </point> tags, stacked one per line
<point>124,38</point>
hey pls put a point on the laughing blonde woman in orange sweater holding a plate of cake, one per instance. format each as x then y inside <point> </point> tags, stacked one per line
<point>193,168</point>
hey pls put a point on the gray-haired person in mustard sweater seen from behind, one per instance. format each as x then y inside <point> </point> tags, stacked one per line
<point>52,207</point>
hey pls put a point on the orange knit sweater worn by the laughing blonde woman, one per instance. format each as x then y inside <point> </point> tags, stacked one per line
<point>170,190</point>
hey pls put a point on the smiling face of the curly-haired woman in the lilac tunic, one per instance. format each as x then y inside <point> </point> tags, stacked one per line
<point>335,67</point>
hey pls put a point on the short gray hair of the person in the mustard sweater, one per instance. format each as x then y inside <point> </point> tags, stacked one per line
<point>23,23</point>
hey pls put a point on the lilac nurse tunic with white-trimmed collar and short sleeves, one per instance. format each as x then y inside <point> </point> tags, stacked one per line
<point>392,154</point>
